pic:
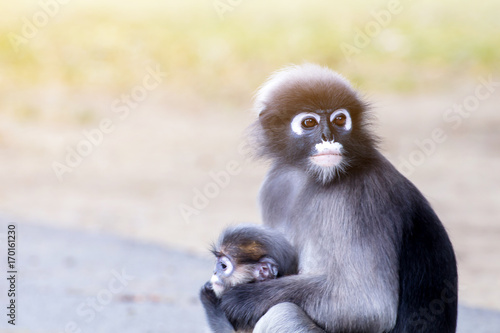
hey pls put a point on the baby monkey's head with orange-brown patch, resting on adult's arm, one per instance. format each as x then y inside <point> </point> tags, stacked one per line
<point>251,253</point>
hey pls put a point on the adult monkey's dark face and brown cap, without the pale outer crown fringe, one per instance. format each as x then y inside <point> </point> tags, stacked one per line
<point>317,128</point>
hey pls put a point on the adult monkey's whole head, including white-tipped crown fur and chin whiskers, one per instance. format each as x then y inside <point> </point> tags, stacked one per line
<point>311,118</point>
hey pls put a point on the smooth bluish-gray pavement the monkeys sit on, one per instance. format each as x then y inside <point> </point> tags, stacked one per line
<point>71,281</point>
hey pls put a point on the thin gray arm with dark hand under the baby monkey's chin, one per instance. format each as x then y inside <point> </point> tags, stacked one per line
<point>216,317</point>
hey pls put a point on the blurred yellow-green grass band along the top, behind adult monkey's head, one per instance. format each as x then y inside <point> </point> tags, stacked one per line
<point>106,45</point>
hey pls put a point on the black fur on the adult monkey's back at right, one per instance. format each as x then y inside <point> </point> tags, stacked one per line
<point>428,276</point>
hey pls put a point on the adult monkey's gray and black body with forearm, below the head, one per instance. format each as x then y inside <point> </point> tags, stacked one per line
<point>373,257</point>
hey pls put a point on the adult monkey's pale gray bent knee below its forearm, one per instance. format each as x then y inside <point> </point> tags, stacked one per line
<point>286,318</point>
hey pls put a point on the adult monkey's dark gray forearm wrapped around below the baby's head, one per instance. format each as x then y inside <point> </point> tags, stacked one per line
<point>245,304</point>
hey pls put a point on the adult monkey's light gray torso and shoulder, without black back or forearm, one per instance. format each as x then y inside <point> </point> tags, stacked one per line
<point>343,226</point>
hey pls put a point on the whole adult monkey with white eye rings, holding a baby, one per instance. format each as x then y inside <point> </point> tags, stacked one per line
<point>373,255</point>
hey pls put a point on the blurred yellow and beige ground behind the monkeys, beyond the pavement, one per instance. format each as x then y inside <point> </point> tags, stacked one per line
<point>154,98</point>
